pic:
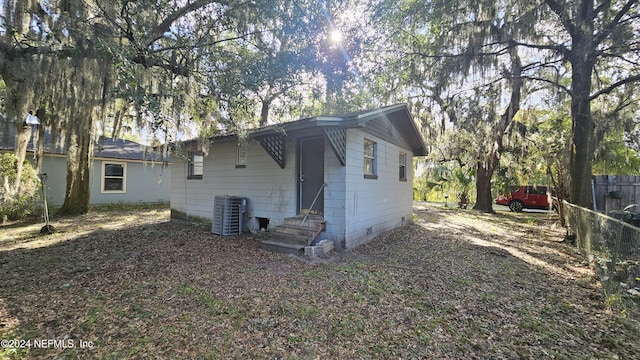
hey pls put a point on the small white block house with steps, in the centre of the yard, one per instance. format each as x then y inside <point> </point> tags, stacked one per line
<point>364,160</point>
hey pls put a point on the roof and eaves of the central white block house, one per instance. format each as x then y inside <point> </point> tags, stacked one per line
<point>397,115</point>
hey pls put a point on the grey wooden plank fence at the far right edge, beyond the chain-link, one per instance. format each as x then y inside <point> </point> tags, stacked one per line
<point>614,192</point>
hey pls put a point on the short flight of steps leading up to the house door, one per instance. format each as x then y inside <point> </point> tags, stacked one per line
<point>291,237</point>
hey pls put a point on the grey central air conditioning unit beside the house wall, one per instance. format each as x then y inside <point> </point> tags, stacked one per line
<point>228,215</point>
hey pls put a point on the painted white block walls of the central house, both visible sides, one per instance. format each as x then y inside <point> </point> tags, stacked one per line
<point>352,204</point>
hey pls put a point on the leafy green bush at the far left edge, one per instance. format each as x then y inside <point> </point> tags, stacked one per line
<point>16,205</point>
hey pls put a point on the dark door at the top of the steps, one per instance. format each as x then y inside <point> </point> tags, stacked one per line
<point>311,175</point>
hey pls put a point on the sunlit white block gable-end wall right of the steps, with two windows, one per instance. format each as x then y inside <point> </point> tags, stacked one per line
<point>374,206</point>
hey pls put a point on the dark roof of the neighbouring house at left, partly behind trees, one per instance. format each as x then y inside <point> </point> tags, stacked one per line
<point>103,148</point>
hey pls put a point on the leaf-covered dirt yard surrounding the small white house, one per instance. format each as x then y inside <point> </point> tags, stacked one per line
<point>453,285</point>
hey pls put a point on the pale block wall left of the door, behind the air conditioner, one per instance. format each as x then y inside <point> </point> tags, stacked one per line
<point>271,190</point>
